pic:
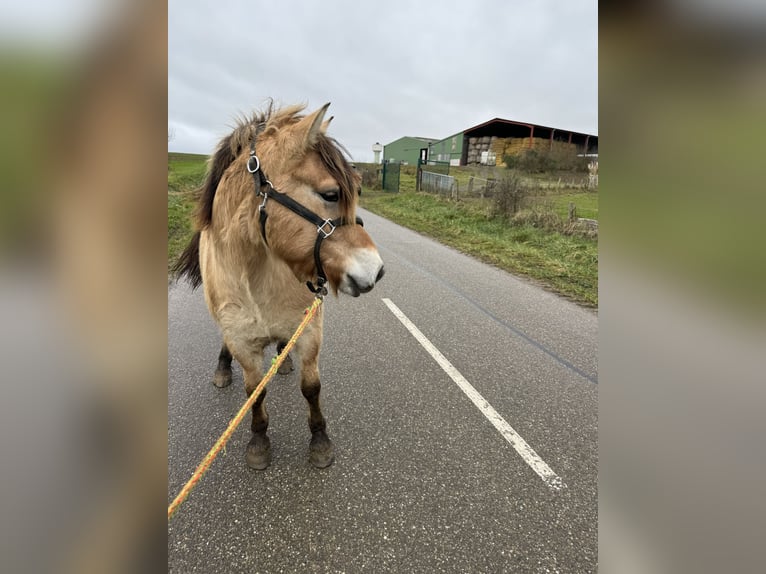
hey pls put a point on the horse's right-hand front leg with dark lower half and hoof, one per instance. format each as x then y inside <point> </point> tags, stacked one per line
<point>321,452</point>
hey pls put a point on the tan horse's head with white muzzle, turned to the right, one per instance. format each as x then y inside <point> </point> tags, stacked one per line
<point>305,165</point>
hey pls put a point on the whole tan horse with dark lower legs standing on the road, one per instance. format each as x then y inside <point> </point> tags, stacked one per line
<point>275,226</point>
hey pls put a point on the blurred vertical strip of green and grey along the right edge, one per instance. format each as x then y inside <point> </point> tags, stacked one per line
<point>681,283</point>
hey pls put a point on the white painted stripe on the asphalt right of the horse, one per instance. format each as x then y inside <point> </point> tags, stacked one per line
<point>514,439</point>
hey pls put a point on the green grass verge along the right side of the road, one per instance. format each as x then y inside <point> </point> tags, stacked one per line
<point>565,264</point>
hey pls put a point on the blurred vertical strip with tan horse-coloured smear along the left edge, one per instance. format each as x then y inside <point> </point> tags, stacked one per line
<point>83,283</point>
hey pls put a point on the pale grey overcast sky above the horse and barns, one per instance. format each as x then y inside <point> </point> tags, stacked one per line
<point>391,69</point>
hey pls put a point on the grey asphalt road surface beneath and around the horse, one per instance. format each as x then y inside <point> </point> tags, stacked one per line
<point>422,481</point>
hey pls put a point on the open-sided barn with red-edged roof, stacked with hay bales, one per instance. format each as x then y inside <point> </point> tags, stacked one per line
<point>488,142</point>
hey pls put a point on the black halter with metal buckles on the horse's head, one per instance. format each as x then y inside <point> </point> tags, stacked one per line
<point>325,227</point>
